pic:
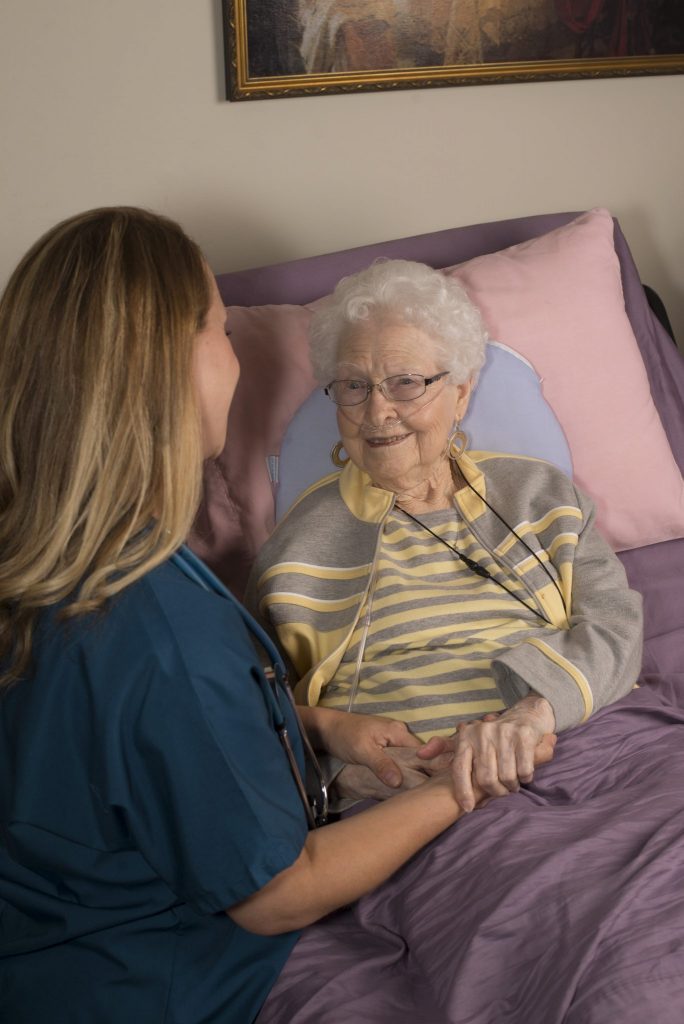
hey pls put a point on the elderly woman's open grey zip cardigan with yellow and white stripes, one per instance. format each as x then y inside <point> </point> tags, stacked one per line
<point>326,549</point>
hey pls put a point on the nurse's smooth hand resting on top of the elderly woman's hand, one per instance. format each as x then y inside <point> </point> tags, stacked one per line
<point>362,740</point>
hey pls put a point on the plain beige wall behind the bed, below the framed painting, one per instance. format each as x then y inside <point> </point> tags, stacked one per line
<point>121,102</point>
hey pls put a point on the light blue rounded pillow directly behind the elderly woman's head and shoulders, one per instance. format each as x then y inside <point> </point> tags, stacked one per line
<point>507,413</point>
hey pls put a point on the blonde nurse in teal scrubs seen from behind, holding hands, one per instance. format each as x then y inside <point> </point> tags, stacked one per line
<point>157,856</point>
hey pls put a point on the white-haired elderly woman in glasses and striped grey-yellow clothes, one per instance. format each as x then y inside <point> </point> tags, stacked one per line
<point>468,595</point>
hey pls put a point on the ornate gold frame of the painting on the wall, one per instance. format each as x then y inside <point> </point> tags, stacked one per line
<point>241,87</point>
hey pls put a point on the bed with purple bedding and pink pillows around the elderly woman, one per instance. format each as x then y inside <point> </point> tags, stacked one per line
<point>565,903</point>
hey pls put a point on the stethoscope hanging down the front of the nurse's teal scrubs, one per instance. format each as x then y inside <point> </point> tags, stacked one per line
<point>273,682</point>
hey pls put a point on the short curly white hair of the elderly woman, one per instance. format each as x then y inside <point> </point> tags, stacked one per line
<point>407,293</point>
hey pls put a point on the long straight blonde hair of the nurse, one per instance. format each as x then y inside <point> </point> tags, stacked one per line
<point>101,450</point>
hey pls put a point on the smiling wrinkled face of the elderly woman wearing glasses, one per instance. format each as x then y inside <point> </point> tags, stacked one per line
<point>401,445</point>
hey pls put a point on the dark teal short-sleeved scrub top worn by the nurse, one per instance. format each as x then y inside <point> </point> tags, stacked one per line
<point>143,791</point>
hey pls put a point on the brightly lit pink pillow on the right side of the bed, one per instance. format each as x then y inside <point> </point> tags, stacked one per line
<point>559,301</point>
